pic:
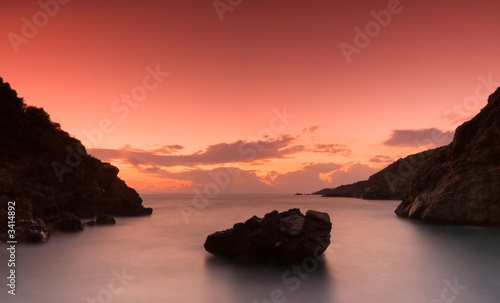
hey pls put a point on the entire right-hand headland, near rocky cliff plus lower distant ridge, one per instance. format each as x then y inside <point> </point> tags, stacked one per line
<point>455,184</point>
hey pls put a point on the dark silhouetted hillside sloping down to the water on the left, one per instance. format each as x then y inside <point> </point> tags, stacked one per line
<point>51,178</point>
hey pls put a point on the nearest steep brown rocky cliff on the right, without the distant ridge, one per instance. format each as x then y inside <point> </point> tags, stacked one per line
<point>460,183</point>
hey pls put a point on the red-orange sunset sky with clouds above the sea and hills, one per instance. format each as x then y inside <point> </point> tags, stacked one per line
<point>289,94</point>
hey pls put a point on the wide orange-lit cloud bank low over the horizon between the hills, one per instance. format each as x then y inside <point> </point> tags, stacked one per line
<point>196,169</point>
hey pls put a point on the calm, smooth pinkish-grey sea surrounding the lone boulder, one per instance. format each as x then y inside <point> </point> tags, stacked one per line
<point>374,257</point>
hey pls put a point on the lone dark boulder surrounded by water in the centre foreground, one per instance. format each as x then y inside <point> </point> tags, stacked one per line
<point>287,237</point>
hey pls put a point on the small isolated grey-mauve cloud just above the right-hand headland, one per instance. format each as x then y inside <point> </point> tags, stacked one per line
<point>428,137</point>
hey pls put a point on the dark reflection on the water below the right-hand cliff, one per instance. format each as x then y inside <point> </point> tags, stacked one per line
<point>469,254</point>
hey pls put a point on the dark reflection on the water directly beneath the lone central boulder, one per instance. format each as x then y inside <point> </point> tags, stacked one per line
<point>249,282</point>
